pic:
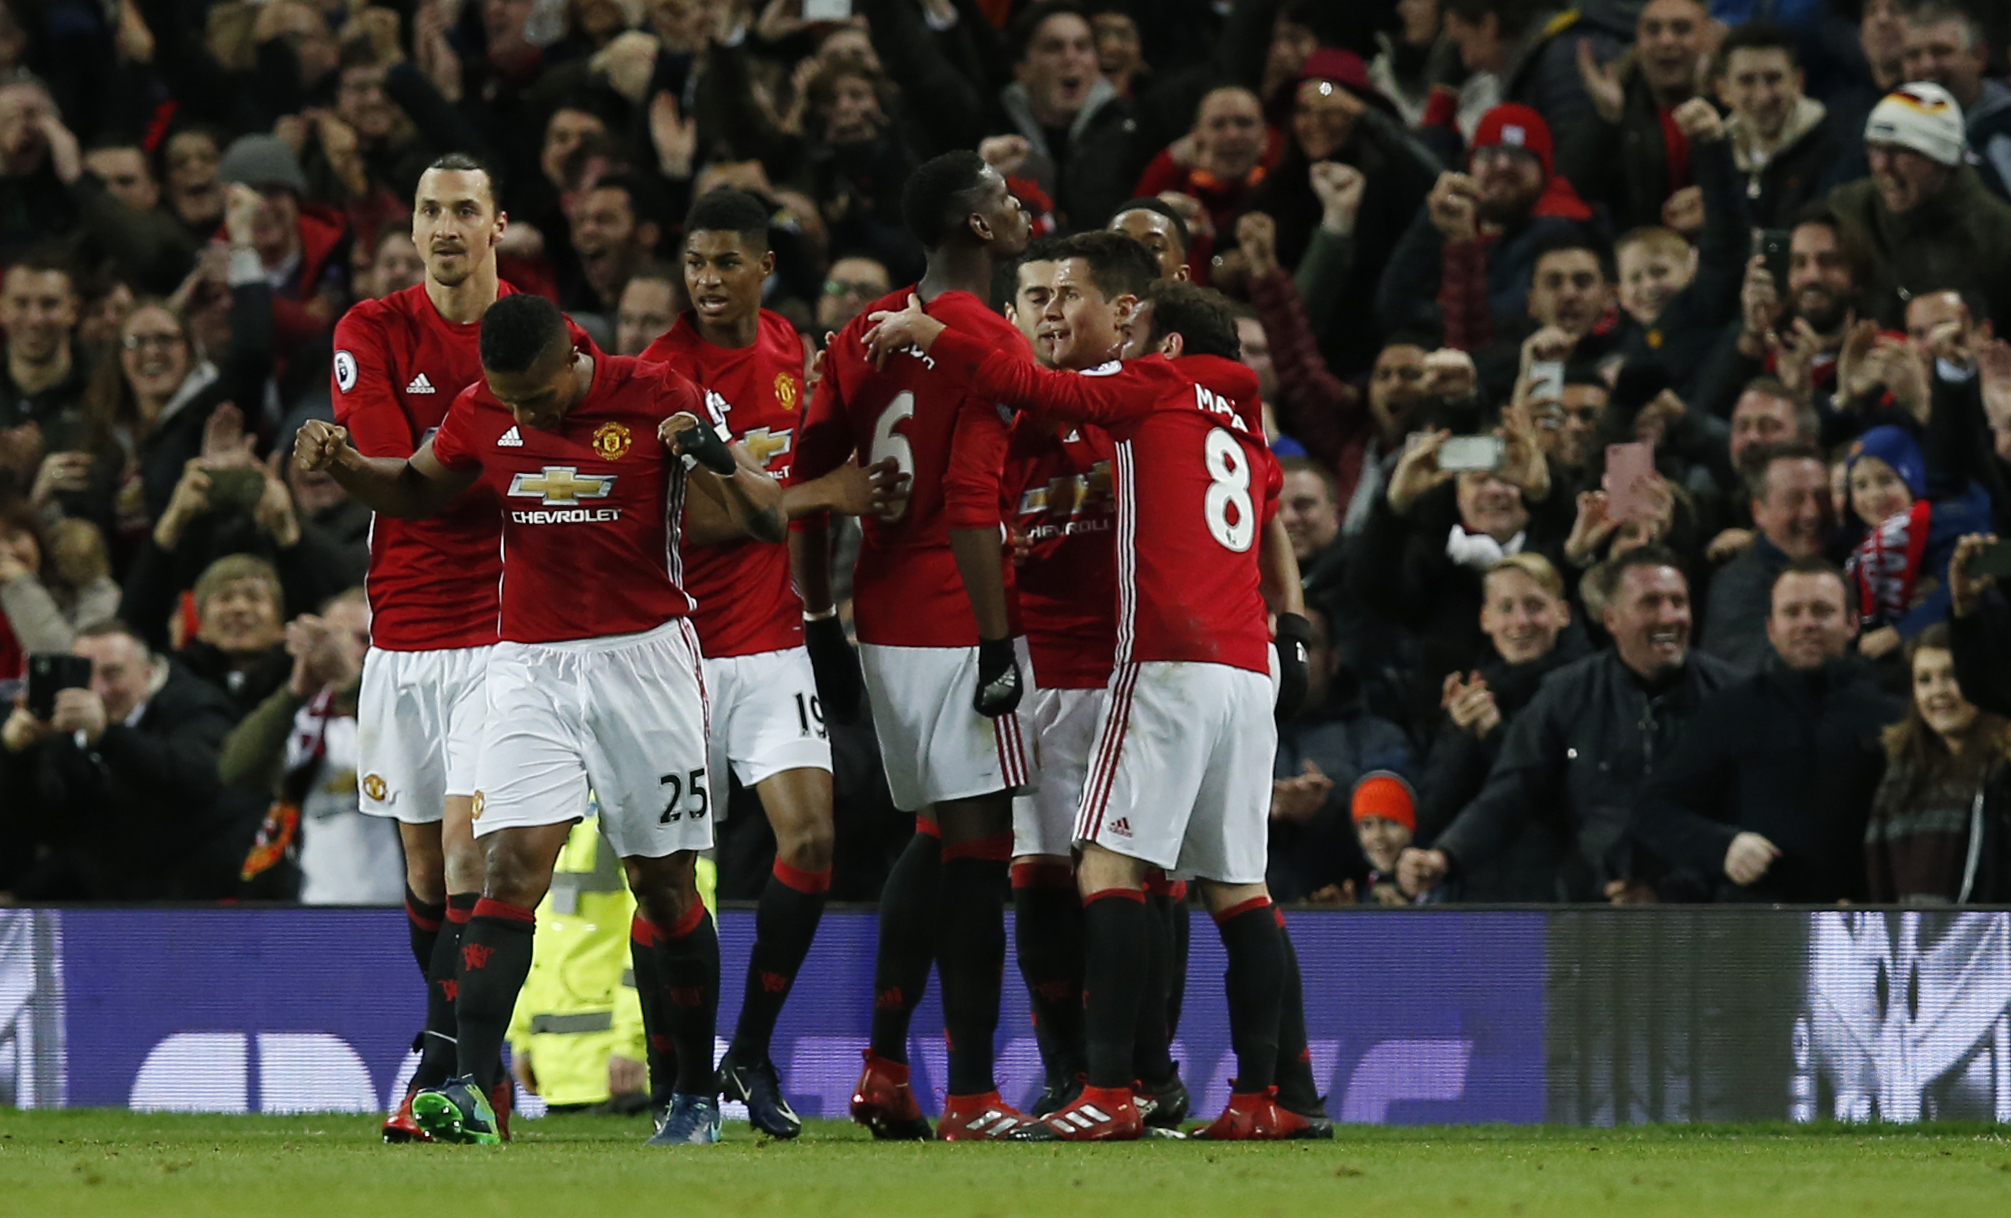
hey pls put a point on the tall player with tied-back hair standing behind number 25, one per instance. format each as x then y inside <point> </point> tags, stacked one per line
<point>399,363</point>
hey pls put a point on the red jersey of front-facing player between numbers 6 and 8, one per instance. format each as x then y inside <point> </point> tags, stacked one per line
<point>1067,512</point>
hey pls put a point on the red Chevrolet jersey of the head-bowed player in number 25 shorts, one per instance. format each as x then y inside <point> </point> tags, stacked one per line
<point>590,512</point>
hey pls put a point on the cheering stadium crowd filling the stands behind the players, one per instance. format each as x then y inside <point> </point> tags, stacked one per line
<point>1634,369</point>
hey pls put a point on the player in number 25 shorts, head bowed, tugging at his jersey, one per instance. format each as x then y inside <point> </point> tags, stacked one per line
<point>596,678</point>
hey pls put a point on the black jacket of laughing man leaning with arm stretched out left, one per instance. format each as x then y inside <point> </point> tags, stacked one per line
<point>1574,763</point>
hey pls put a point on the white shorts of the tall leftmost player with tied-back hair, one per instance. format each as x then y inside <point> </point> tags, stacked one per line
<point>419,731</point>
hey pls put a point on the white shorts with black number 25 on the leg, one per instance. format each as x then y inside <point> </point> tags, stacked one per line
<point>624,717</point>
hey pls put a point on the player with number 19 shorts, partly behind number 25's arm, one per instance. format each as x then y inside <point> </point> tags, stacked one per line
<point>767,719</point>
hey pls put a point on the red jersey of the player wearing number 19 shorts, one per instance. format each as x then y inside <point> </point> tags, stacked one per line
<point>747,602</point>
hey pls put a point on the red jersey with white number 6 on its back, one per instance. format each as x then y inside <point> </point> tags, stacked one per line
<point>906,588</point>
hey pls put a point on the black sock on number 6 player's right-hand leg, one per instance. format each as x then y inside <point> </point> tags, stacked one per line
<point>972,958</point>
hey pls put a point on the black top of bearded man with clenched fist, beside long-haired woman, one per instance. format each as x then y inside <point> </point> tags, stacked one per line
<point>1787,755</point>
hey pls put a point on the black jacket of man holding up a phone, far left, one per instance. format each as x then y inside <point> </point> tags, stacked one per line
<point>134,817</point>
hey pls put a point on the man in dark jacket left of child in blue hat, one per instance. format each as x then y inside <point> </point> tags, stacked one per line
<point>1789,489</point>
